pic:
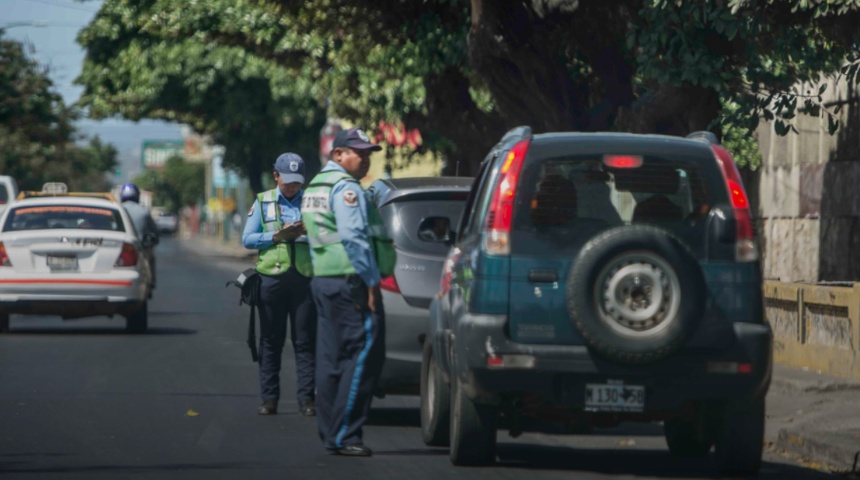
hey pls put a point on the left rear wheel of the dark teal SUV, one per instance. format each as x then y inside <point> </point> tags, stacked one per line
<point>473,429</point>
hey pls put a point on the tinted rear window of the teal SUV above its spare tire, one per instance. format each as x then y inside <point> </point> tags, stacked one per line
<point>563,202</point>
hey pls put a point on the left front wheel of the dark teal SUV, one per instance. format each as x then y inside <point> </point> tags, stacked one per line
<point>435,401</point>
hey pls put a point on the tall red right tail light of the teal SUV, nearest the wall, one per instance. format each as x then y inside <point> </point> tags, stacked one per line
<point>745,247</point>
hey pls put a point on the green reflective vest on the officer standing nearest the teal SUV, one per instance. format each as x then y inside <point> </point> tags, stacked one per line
<point>330,256</point>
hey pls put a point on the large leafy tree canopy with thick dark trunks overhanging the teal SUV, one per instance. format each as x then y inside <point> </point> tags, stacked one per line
<point>260,73</point>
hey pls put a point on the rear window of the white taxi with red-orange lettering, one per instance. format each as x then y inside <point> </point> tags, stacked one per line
<point>45,217</point>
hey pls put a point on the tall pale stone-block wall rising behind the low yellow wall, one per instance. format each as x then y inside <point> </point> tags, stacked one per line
<point>807,195</point>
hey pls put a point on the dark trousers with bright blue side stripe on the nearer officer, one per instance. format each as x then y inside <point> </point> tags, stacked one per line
<point>350,355</point>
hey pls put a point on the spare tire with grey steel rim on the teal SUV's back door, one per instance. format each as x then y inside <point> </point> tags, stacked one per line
<point>636,294</point>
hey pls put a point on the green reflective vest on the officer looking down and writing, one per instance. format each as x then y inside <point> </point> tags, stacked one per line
<point>278,258</point>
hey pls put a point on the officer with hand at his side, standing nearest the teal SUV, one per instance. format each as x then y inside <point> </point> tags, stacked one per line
<point>350,250</point>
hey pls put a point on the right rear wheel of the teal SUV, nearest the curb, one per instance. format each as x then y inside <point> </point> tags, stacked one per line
<point>741,438</point>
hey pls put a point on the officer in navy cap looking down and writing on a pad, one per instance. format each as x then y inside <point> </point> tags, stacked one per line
<point>274,227</point>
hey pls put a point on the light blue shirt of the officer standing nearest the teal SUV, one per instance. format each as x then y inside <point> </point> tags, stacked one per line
<point>352,227</point>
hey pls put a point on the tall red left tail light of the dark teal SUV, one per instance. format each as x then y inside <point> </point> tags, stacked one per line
<point>498,230</point>
